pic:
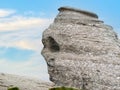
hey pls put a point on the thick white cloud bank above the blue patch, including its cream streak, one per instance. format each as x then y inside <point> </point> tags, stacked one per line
<point>22,31</point>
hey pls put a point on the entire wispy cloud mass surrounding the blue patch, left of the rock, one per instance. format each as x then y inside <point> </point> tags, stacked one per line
<point>23,31</point>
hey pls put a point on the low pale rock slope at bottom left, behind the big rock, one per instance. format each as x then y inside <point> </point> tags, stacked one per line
<point>7,80</point>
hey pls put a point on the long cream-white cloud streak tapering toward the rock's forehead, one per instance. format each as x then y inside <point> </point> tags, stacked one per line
<point>20,22</point>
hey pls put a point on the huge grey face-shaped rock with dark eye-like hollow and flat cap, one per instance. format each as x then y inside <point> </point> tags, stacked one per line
<point>81,51</point>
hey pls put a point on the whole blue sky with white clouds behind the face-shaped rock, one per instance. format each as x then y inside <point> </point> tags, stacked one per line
<point>22,23</point>
